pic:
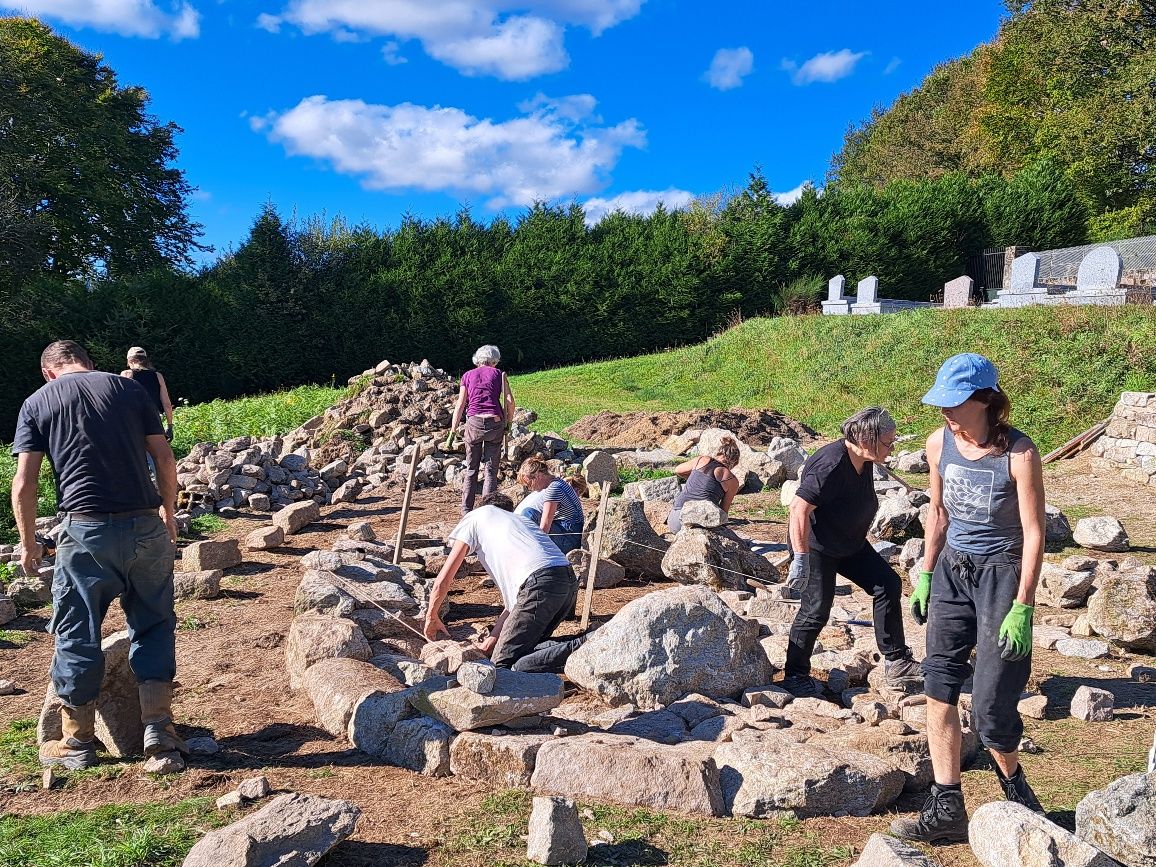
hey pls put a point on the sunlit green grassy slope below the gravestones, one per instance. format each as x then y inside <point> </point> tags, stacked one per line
<point>1064,368</point>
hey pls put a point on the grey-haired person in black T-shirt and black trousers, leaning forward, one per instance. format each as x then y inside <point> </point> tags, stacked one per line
<point>831,516</point>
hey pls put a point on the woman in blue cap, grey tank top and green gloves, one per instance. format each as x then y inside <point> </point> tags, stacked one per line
<point>984,551</point>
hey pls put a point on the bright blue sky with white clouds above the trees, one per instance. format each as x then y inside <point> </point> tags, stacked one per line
<point>373,109</point>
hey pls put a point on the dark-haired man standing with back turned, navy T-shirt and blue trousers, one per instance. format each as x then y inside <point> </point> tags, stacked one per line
<point>117,540</point>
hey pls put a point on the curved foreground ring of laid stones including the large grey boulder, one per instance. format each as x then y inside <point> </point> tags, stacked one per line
<point>688,718</point>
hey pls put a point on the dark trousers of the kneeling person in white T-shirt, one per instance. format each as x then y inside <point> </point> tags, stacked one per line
<point>544,602</point>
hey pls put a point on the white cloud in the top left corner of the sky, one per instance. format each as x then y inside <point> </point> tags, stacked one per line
<point>128,18</point>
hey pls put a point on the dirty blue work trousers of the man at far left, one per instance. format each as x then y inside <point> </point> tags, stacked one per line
<point>127,559</point>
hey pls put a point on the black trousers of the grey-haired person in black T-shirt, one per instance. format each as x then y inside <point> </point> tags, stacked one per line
<point>871,573</point>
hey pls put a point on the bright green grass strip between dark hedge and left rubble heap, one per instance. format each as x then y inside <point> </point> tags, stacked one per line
<point>265,416</point>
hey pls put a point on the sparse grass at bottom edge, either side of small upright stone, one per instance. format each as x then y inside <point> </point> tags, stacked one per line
<point>492,835</point>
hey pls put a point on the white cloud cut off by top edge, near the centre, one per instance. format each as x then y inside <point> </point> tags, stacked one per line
<point>512,40</point>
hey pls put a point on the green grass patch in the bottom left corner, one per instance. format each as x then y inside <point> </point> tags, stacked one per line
<point>138,835</point>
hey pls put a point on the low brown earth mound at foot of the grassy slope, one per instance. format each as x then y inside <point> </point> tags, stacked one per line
<point>649,431</point>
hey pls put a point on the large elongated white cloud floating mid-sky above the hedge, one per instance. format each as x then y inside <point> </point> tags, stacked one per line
<point>538,157</point>
